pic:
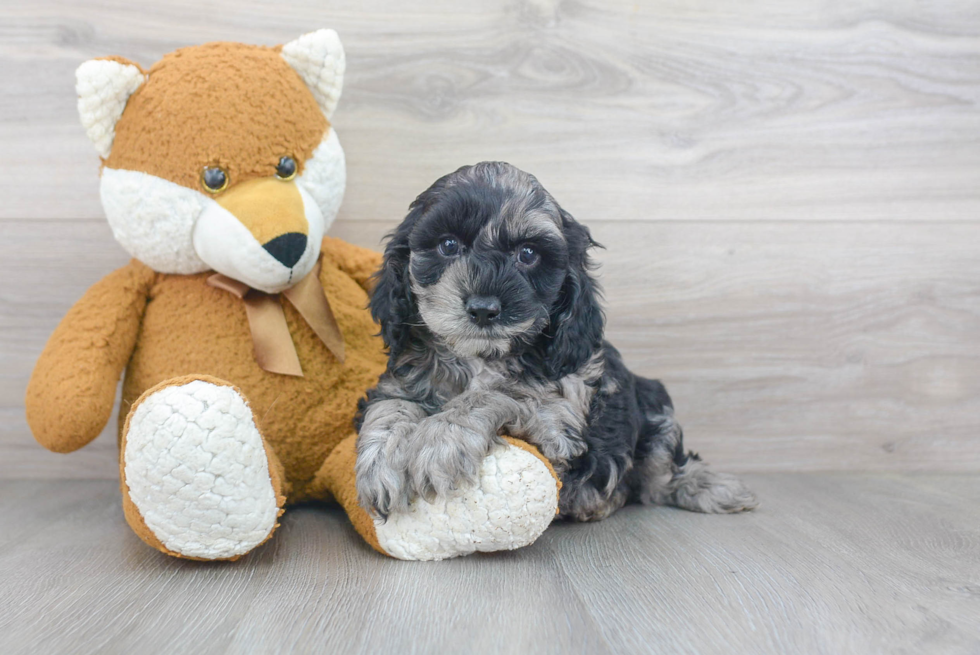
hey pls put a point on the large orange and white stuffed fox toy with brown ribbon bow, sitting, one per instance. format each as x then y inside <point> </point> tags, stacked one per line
<point>242,330</point>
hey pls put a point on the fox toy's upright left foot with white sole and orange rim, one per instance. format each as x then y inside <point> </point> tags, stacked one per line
<point>198,480</point>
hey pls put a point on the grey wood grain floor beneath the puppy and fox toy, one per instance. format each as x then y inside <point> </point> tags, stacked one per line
<point>830,563</point>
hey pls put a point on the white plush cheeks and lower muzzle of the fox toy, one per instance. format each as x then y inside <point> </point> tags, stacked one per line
<point>176,230</point>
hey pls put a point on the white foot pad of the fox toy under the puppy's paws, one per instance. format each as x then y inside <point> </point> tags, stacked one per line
<point>513,502</point>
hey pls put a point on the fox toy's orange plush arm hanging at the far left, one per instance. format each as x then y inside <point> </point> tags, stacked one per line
<point>72,389</point>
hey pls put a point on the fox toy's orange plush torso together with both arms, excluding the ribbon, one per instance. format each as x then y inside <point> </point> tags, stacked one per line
<point>185,325</point>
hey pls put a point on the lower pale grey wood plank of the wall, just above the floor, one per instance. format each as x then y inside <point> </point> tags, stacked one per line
<point>786,346</point>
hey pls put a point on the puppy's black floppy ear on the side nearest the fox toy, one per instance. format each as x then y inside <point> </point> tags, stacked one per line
<point>392,303</point>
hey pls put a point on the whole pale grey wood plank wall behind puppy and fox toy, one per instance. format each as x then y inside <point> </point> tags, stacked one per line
<point>788,190</point>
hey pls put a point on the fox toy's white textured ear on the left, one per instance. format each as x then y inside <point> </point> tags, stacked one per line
<point>103,87</point>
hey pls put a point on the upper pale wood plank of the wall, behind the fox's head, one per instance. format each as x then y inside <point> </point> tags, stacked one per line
<point>669,110</point>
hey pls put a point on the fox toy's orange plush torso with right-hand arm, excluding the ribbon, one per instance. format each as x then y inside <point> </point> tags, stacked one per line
<point>302,418</point>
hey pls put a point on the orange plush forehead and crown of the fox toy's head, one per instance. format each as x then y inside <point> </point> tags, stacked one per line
<point>173,129</point>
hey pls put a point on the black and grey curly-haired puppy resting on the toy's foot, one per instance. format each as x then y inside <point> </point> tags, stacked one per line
<point>493,324</point>
